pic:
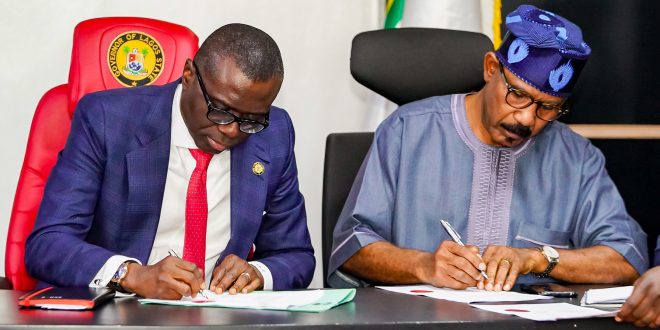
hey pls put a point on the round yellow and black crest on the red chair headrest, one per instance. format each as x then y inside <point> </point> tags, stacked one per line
<point>135,59</point>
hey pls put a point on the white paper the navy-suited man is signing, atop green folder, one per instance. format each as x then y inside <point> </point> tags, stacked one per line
<point>254,300</point>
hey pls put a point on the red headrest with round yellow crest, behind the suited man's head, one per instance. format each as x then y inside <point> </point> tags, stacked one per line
<point>114,52</point>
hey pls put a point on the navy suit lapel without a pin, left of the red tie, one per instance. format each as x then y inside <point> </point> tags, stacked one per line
<point>147,171</point>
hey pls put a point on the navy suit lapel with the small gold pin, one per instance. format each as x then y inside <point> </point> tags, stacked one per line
<point>248,194</point>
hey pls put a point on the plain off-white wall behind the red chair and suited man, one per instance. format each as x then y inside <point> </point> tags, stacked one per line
<point>314,36</point>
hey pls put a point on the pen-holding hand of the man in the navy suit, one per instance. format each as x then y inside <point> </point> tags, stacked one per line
<point>170,278</point>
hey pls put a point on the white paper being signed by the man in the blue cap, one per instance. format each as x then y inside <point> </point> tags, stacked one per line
<point>469,295</point>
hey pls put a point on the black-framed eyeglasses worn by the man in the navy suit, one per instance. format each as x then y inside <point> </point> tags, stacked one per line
<point>223,117</point>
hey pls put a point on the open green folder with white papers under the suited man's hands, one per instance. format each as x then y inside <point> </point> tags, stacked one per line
<point>321,300</point>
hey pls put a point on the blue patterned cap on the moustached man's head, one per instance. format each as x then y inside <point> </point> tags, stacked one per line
<point>543,49</point>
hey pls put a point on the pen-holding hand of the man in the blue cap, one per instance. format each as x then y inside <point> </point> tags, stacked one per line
<point>453,266</point>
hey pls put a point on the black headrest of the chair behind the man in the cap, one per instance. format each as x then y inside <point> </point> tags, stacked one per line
<point>409,64</point>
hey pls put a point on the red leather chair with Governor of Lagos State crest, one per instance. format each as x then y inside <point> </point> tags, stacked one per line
<point>108,53</point>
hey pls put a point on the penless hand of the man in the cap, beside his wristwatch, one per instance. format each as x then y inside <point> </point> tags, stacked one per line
<point>504,264</point>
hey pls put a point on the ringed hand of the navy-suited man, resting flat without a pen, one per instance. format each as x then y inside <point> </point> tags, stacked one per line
<point>235,275</point>
